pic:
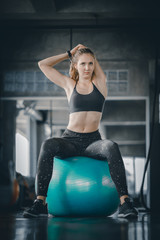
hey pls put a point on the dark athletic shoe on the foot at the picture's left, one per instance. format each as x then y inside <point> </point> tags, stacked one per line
<point>38,209</point>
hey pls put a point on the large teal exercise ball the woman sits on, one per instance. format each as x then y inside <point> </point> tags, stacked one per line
<point>81,186</point>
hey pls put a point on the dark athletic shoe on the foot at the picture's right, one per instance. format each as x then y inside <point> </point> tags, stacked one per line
<point>126,210</point>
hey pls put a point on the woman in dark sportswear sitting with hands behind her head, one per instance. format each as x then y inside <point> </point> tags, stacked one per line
<point>86,92</point>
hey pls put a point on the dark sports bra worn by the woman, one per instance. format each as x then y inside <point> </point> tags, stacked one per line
<point>93,101</point>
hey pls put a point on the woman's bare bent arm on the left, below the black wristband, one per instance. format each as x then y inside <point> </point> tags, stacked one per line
<point>46,66</point>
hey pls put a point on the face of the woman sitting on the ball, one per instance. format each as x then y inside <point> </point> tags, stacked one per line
<point>85,66</point>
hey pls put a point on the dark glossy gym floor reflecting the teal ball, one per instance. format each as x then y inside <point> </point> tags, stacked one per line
<point>14,226</point>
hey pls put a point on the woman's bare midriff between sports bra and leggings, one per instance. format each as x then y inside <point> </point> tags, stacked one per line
<point>84,122</point>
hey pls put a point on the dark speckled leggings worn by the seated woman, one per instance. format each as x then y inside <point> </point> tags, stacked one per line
<point>80,144</point>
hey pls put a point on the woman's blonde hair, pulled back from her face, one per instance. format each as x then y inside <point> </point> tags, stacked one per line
<point>73,73</point>
